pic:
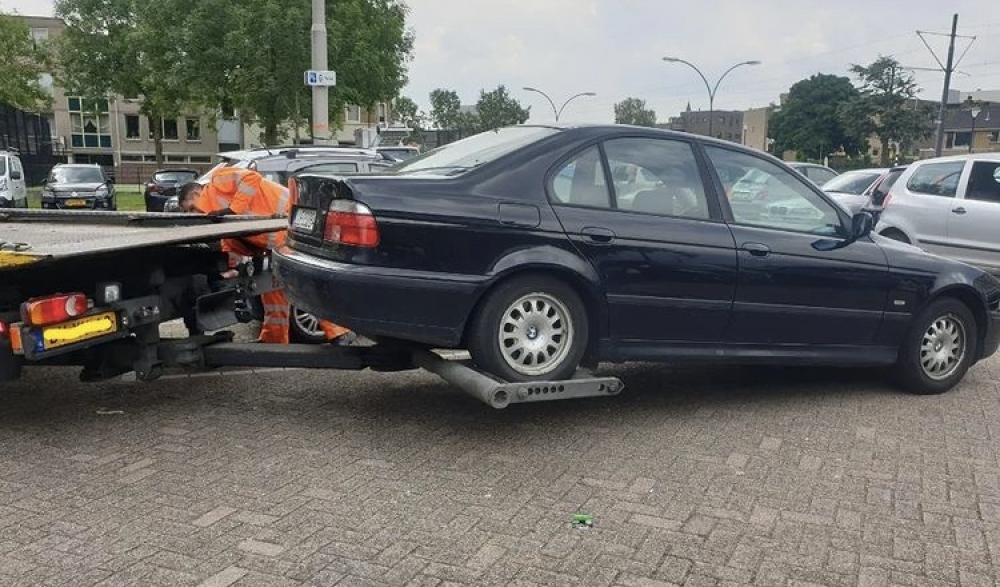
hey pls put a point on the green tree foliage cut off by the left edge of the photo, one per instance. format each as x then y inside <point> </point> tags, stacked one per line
<point>21,64</point>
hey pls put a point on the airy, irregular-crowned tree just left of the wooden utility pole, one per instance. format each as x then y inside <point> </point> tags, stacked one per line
<point>886,106</point>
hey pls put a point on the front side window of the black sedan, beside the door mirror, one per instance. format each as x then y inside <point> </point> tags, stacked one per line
<point>763,194</point>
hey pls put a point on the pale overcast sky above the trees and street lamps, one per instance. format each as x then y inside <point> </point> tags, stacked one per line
<point>614,48</point>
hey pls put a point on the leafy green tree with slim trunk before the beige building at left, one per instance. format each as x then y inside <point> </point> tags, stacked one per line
<point>119,47</point>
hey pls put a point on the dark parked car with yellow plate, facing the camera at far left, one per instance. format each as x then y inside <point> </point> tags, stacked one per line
<point>79,185</point>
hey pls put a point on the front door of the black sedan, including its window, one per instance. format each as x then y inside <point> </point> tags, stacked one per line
<point>789,291</point>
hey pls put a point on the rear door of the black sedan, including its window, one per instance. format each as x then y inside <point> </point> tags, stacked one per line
<point>667,261</point>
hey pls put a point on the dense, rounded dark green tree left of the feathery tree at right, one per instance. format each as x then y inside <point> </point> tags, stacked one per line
<point>809,121</point>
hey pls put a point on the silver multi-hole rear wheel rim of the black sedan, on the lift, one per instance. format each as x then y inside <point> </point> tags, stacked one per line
<point>535,334</point>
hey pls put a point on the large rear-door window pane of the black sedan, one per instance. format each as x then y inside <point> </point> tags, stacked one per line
<point>656,176</point>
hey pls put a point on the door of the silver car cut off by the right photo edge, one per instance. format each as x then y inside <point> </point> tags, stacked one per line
<point>975,215</point>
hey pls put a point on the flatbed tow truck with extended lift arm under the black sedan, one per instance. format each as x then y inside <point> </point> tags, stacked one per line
<point>90,289</point>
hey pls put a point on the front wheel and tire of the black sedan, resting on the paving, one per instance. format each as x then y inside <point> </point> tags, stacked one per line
<point>939,348</point>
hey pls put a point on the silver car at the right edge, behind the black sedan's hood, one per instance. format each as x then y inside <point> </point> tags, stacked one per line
<point>949,206</point>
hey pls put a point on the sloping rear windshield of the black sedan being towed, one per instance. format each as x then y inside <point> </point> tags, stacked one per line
<point>474,151</point>
